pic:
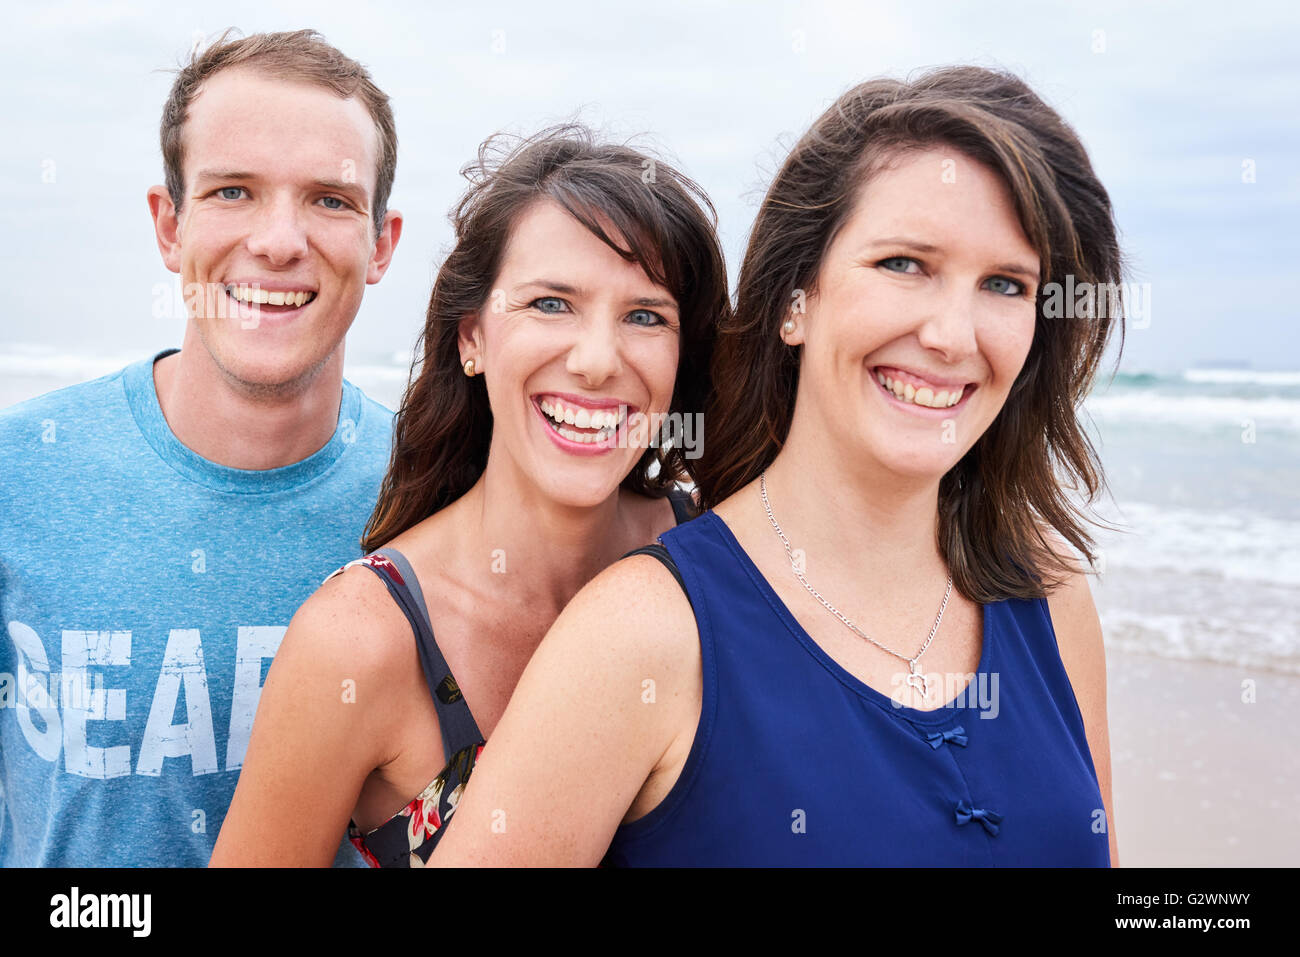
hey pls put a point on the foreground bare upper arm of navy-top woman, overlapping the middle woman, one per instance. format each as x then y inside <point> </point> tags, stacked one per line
<point>580,741</point>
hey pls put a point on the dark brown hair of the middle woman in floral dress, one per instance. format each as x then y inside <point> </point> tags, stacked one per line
<point>444,426</point>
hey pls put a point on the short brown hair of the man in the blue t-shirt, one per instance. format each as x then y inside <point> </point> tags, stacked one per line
<point>301,55</point>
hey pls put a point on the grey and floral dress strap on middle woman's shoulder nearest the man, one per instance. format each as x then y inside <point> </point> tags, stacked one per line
<point>460,729</point>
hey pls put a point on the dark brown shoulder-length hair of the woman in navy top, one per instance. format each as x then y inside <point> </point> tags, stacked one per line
<point>996,503</point>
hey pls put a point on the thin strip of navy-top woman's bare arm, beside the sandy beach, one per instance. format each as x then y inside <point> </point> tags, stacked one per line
<point>1074,618</point>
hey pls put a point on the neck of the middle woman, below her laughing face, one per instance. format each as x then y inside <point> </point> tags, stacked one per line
<point>544,552</point>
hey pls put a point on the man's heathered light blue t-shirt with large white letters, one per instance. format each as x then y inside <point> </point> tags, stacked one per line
<point>144,591</point>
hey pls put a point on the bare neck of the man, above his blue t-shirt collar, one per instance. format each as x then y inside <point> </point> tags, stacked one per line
<point>241,426</point>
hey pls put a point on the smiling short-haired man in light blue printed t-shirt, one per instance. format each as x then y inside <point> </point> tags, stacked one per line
<point>161,526</point>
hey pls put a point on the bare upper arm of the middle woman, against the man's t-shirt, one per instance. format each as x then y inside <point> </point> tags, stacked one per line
<point>320,729</point>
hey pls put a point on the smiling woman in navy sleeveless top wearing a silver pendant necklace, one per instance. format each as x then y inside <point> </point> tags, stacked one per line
<point>876,647</point>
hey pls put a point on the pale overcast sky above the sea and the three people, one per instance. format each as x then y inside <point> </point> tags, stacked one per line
<point>1171,99</point>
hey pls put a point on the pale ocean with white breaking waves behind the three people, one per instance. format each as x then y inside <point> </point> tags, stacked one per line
<point>1203,469</point>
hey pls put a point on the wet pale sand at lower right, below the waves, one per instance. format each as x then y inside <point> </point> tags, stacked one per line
<point>1202,778</point>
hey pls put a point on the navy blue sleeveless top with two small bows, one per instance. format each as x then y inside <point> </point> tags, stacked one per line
<point>798,763</point>
